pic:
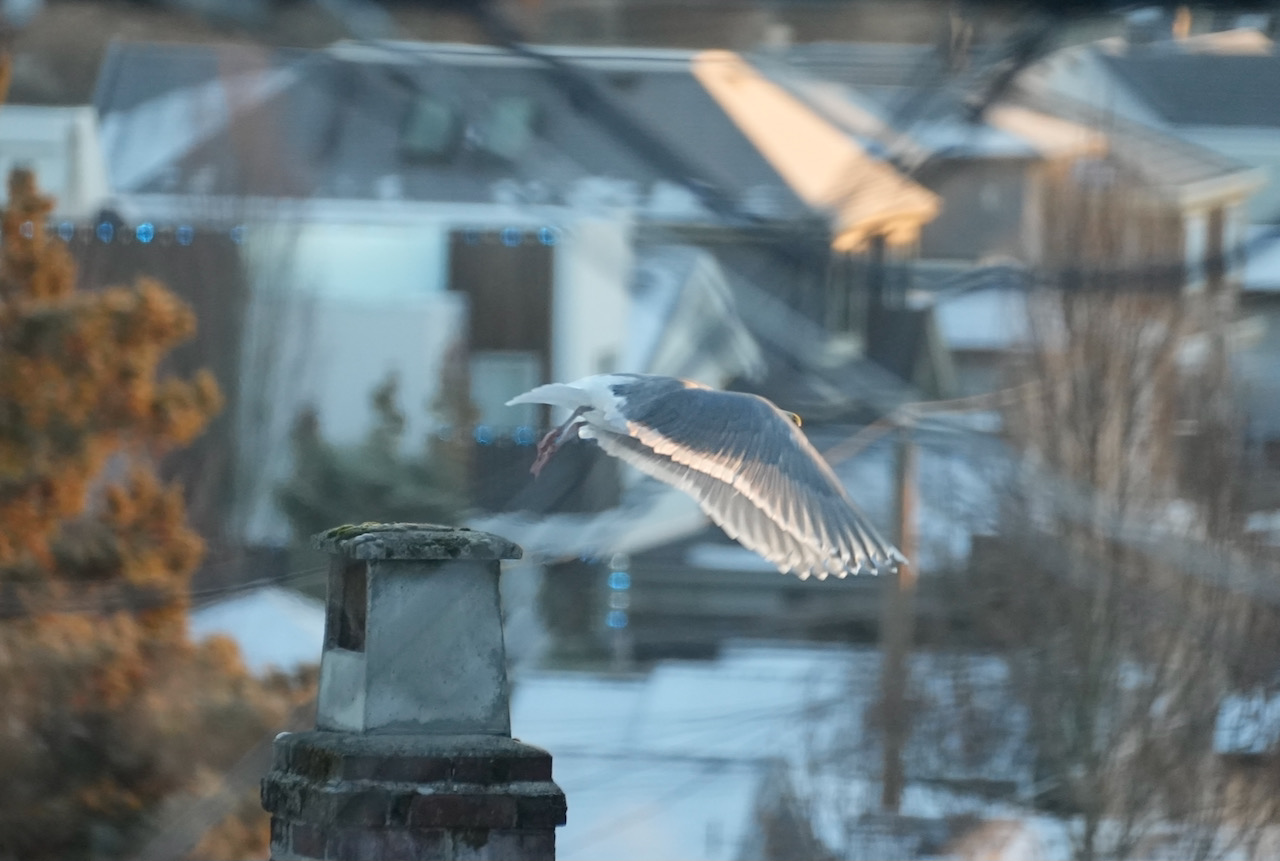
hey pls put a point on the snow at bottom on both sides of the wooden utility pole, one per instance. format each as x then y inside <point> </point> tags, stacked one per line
<point>670,764</point>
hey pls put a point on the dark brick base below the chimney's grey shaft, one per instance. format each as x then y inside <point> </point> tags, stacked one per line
<point>372,798</point>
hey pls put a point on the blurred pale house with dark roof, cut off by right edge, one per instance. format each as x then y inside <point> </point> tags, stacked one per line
<point>1219,91</point>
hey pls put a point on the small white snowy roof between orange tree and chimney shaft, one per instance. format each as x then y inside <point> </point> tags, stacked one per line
<point>275,628</point>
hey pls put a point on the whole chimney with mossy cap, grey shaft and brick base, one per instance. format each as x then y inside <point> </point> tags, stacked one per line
<point>413,755</point>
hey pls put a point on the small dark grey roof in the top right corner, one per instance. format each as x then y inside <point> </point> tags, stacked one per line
<point>1204,89</point>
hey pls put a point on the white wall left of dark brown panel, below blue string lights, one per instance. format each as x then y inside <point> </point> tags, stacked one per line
<point>336,309</point>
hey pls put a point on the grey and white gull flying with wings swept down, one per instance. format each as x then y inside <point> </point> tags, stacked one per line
<point>746,462</point>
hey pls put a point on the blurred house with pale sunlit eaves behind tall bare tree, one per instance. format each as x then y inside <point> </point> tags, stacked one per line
<point>1004,177</point>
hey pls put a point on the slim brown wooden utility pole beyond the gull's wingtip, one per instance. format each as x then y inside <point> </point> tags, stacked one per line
<point>898,624</point>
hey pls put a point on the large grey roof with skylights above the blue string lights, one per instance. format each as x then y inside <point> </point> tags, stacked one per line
<point>290,123</point>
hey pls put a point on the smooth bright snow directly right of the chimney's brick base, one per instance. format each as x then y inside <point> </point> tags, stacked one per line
<point>668,766</point>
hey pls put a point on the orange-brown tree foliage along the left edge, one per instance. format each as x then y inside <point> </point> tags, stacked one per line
<point>108,711</point>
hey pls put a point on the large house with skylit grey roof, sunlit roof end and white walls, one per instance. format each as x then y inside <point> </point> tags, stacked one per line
<point>588,212</point>
